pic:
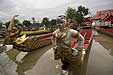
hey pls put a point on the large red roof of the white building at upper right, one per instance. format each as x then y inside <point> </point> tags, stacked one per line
<point>102,14</point>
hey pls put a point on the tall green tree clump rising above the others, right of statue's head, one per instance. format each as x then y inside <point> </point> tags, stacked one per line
<point>77,15</point>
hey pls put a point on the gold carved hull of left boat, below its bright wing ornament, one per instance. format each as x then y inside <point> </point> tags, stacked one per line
<point>33,43</point>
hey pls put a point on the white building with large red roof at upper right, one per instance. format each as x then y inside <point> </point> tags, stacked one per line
<point>98,19</point>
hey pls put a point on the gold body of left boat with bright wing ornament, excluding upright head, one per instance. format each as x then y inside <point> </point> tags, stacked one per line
<point>31,43</point>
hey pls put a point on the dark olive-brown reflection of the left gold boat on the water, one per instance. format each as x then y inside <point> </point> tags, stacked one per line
<point>30,60</point>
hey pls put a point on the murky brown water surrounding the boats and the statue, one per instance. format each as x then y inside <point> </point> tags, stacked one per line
<point>98,60</point>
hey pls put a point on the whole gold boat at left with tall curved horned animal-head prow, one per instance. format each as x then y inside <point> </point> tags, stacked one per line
<point>26,43</point>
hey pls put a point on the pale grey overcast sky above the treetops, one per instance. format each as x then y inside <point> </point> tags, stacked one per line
<point>50,8</point>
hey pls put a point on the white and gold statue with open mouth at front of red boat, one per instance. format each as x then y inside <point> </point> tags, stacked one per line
<point>71,58</point>
